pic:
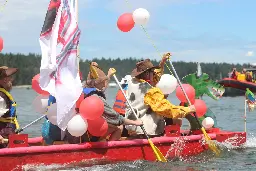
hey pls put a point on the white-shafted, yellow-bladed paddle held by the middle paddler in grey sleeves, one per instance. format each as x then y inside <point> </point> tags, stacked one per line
<point>158,154</point>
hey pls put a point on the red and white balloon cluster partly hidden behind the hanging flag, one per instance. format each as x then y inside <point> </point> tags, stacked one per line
<point>89,116</point>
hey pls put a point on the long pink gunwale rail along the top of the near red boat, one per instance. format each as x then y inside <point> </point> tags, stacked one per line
<point>98,145</point>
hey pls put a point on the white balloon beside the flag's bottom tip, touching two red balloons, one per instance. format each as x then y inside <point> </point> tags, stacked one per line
<point>77,126</point>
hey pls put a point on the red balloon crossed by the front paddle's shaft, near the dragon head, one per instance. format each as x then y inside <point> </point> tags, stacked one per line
<point>190,91</point>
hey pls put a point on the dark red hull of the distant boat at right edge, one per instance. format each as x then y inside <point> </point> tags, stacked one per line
<point>242,85</point>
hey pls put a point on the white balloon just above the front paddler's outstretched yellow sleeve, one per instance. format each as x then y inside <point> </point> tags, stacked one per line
<point>167,84</point>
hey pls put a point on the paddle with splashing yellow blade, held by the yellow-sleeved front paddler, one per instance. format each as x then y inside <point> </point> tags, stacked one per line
<point>210,143</point>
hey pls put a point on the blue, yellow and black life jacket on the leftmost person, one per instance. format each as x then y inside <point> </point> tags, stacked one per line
<point>10,116</point>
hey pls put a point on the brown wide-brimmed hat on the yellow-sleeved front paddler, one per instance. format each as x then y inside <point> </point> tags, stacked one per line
<point>143,66</point>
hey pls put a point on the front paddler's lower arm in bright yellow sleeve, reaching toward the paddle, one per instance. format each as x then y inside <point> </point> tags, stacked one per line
<point>155,99</point>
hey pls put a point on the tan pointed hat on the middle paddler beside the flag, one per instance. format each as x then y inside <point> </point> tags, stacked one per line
<point>95,77</point>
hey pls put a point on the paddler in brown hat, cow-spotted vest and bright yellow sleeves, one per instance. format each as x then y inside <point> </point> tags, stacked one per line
<point>140,91</point>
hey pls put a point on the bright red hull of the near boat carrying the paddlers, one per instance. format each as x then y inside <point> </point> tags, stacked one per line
<point>108,152</point>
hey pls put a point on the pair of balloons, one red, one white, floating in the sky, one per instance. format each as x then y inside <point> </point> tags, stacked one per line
<point>126,21</point>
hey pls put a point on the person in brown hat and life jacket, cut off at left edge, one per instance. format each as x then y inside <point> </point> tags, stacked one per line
<point>8,117</point>
